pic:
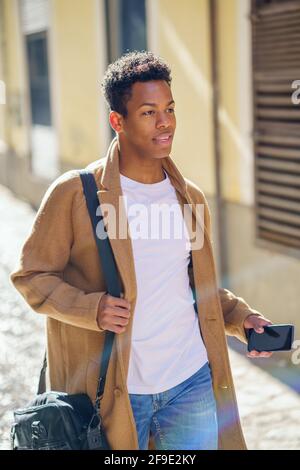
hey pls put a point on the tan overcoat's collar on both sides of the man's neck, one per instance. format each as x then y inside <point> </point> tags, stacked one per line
<point>110,178</point>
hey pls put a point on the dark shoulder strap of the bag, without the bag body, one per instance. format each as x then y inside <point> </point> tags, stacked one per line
<point>109,268</point>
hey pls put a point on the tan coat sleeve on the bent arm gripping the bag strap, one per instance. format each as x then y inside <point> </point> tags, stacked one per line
<point>44,255</point>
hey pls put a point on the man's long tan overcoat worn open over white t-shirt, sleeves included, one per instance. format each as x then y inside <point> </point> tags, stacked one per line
<point>59,274</point>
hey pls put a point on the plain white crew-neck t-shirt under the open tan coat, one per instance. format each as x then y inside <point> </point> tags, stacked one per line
<point>167,347</point>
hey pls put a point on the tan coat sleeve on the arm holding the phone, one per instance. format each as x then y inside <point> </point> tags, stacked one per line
<point>235,309</point>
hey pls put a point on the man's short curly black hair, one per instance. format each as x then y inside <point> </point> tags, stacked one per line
<point>132,67</point>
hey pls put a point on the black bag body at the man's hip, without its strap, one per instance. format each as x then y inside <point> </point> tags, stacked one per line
<point>58,421</point>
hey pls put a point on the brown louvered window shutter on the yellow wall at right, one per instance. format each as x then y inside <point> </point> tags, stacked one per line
<point>276,65</point>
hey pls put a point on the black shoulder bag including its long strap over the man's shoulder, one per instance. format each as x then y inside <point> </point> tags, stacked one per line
<point>56,420</point>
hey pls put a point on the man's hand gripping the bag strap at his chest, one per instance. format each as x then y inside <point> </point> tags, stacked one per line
<point>113,313</point>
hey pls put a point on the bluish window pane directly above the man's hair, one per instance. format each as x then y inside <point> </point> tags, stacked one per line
<point>126,26</point>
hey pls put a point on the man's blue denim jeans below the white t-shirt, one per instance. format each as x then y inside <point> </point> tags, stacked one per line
<point>183,417</point>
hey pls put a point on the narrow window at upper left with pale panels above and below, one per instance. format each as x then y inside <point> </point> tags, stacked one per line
<point>35,25</point>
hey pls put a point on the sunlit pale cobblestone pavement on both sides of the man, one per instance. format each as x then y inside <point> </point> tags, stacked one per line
<point>269,408</point>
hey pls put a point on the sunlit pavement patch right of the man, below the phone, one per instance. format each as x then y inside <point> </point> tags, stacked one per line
<point>269,410</point>
